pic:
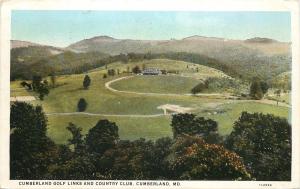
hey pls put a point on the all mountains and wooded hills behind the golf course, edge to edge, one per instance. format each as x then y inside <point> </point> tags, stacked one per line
<point>249,58</point>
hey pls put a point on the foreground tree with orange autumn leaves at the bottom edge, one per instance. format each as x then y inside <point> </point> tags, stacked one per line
<point>194,159</point>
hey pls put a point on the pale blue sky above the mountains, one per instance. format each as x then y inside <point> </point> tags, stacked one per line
<point>62,28</point>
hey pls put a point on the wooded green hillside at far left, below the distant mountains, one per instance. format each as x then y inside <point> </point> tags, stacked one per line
<point>40,60</point>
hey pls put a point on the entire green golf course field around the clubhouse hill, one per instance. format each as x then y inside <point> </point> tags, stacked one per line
<point>65,96</point>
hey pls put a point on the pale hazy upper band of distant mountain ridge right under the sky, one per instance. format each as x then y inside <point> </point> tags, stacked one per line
<point>210,46</point>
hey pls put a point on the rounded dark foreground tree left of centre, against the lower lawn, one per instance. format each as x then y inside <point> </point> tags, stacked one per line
<point>102,137</point>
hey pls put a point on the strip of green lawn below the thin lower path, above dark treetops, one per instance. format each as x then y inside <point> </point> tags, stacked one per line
<point>129,128</point>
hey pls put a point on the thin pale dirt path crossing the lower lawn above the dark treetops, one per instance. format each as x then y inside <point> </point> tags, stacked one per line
<point>105,115</point>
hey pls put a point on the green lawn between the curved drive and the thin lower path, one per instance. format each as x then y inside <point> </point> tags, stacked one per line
<point>101,100</point>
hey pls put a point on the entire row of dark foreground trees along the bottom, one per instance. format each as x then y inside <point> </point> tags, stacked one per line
<point>259,147</point>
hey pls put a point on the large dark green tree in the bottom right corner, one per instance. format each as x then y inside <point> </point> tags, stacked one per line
<point>264,142</point>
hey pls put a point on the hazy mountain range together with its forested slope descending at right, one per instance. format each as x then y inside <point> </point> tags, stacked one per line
<point>248,56</point>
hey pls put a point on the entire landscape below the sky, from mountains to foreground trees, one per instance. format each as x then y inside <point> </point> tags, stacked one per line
<point>192,108</point>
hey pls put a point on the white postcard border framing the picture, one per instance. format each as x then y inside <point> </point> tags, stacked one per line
<point>150,5</point>
